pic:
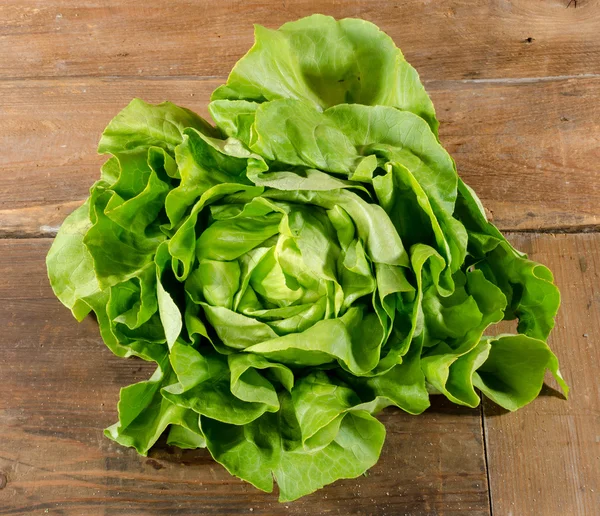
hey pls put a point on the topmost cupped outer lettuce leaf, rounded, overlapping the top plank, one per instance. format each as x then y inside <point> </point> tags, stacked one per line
<point>327,62</point>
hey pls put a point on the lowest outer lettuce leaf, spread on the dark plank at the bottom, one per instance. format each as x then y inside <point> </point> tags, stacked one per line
<point>343,440</point>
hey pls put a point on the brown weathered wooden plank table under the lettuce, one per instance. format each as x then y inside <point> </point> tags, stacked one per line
<point>517,89</point>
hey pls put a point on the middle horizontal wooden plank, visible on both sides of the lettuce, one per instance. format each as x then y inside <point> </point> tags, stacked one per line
<point>530,149</point>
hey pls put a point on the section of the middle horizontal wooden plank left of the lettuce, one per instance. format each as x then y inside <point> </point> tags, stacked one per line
<point>52,129</point>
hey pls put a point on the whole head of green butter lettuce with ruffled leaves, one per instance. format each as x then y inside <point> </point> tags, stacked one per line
<point>307,262</point>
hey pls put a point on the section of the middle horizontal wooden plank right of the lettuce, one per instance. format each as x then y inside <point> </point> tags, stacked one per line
<point>531,150</point>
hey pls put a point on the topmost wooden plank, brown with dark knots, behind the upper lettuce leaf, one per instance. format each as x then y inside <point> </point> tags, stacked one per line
<point>446,39</point>
